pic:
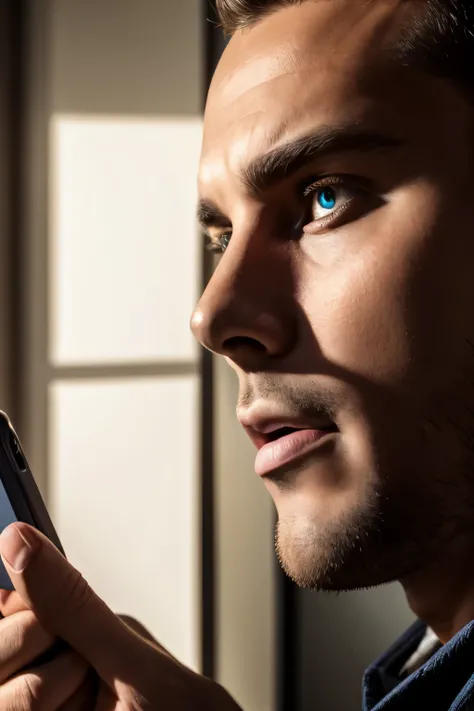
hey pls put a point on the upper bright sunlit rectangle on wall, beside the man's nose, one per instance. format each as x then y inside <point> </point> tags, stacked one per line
<point>124,251</point>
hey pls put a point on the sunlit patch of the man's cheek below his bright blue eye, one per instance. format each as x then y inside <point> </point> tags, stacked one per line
<point>358,316</point>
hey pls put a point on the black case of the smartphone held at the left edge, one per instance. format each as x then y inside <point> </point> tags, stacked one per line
<point>20,487</point>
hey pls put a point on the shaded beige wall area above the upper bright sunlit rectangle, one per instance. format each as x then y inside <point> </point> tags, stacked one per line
<point>156,78</point>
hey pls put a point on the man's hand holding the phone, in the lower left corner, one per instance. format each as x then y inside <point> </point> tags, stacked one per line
<point>134,674</point>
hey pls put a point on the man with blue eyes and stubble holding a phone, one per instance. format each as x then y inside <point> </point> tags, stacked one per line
<point>336,182</point>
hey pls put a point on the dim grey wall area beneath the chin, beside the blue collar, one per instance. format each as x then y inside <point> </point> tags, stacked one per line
<point>340,636</point>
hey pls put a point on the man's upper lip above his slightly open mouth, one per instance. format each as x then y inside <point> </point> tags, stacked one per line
<point>259,425</point>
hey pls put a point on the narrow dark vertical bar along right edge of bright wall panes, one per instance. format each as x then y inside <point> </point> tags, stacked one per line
<point>213,45</point>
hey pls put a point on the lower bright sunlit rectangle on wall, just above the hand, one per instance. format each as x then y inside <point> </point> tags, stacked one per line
<point>124,495</point>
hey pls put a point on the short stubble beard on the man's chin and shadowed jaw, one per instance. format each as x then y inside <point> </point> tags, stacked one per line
<point>371,546</point>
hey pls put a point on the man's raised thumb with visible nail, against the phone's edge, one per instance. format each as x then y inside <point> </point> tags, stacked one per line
<point>66,605</point>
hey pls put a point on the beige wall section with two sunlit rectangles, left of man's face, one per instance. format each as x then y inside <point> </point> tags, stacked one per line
<point>114,101</point>
